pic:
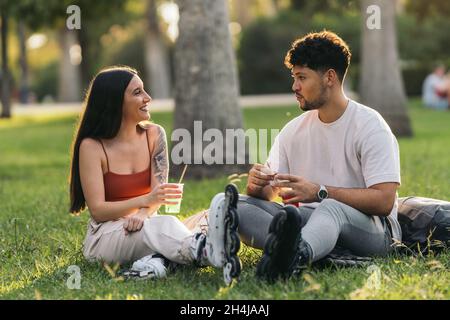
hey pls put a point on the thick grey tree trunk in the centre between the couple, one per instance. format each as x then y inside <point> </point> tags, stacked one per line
<point>206,86</point>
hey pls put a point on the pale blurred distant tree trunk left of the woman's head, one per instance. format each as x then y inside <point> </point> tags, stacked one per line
<point>69,68</point>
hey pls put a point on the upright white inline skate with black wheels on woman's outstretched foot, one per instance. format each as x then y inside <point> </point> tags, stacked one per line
<point>222,240</point>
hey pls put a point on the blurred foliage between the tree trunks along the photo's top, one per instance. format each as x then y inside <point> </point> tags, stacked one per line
<point>113,32</point>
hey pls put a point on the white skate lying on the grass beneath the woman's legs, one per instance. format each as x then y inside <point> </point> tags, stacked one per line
<point>149,267</point>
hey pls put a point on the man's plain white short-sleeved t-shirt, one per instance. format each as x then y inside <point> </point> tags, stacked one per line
<point>357,150</point>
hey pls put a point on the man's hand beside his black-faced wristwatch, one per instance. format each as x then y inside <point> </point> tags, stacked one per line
<point>298,189</point>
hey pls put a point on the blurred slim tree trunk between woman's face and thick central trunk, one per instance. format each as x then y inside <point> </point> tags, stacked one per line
<point>156,56</point>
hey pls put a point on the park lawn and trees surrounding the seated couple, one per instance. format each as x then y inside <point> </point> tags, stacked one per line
<point>46,69</point>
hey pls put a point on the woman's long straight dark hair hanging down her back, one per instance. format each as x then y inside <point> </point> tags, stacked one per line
<point>101,119</point>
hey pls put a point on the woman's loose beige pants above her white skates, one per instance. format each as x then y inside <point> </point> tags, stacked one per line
<point>162,234</point>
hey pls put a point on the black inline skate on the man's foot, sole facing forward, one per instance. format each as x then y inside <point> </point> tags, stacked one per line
<point>285,253</point>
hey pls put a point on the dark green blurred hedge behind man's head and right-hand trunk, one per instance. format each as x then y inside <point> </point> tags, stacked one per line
<point>422,42</point>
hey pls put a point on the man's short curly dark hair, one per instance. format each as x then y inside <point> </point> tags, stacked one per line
<point>320,51</point>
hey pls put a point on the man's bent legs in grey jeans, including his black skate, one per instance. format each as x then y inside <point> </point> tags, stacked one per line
<point>294,237</point>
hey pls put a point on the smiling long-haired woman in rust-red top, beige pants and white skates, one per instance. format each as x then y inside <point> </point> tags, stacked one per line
<point>119,172</point>
